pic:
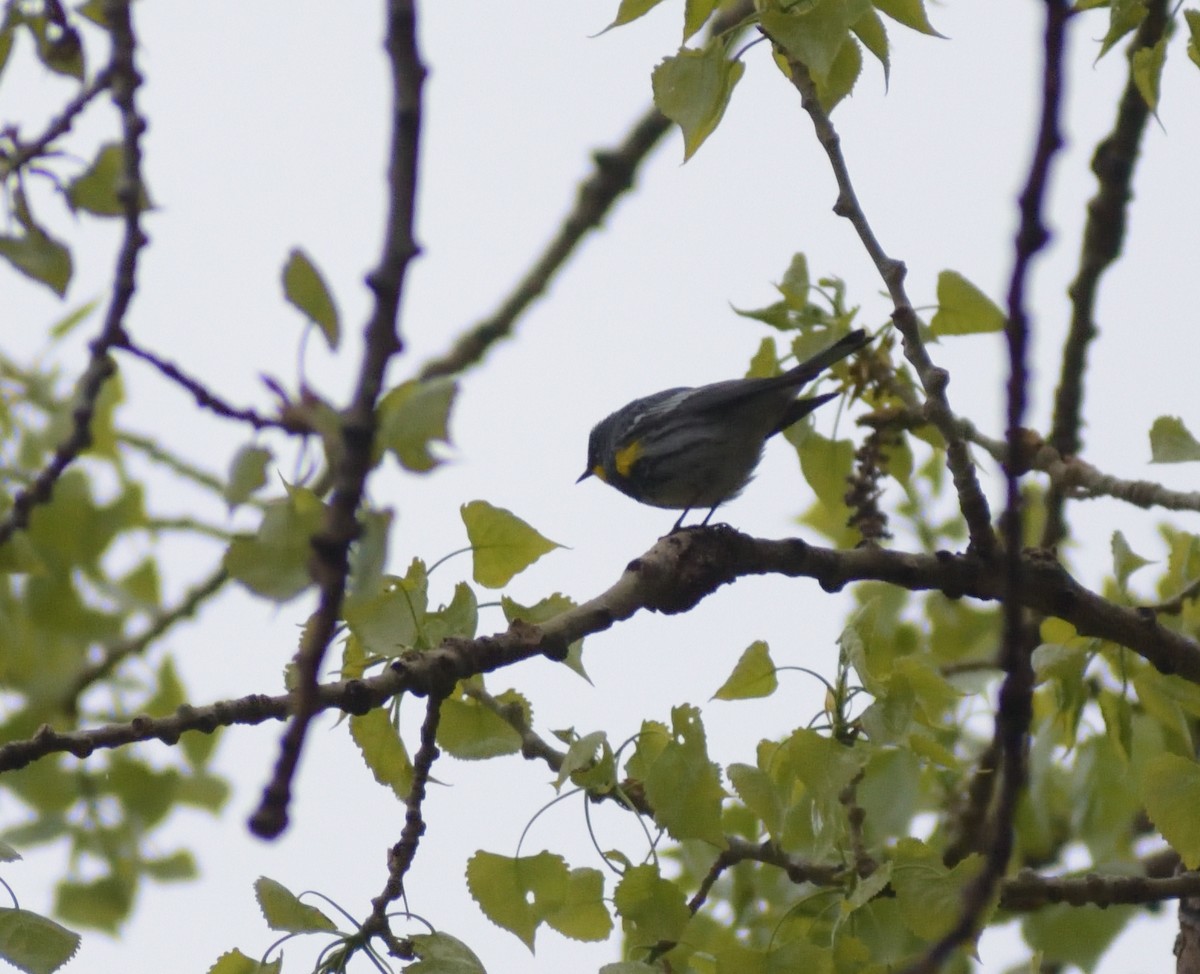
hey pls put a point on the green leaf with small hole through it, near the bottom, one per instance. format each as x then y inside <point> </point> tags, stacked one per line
<point>519,894</point>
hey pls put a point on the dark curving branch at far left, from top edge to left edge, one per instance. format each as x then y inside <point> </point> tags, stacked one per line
<point>124,81</point>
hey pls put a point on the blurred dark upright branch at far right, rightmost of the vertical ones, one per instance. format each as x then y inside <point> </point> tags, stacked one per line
<point>1103,238</point>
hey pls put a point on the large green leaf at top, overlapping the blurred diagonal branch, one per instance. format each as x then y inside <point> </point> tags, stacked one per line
<point>693,89</point>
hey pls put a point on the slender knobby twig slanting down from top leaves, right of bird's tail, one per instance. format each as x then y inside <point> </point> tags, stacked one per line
<point>971,500</point>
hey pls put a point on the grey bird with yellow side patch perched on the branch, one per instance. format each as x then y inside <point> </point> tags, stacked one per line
<point>699,448</point>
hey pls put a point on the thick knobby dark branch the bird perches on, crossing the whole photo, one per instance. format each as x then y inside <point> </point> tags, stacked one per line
<point>674,576</point>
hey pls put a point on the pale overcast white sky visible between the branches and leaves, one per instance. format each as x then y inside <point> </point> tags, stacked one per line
<point>268,127</point>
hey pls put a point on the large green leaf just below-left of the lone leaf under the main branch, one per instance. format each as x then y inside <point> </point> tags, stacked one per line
<point>683,786</point>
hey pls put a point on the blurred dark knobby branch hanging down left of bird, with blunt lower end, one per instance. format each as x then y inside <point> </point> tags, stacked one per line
<point>331,560</point>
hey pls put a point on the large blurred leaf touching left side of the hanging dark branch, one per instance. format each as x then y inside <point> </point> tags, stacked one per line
<point>274,563</point>
